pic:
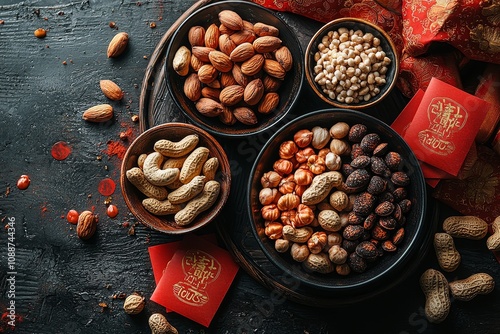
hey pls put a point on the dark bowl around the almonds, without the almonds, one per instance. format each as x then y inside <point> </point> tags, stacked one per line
<point>288,91</point>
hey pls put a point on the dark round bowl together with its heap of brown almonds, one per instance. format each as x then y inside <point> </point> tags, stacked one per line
<point>234,68</point>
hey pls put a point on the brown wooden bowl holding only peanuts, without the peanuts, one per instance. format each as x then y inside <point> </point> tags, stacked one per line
<point>144,144</point>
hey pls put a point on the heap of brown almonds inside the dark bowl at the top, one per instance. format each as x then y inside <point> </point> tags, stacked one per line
<point>233,70</point>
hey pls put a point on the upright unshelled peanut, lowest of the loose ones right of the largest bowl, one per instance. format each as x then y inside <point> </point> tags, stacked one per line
<point>436,290</point>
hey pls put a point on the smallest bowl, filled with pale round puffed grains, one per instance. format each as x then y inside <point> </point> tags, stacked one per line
<point>351,63</point>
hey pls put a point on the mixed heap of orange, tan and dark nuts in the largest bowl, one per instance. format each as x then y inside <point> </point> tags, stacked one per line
<point>336,199</point>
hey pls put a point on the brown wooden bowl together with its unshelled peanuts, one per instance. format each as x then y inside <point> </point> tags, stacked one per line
<point>175,178</point>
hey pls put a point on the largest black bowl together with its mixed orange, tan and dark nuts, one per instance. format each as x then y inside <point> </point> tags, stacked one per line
<point>338,200</point>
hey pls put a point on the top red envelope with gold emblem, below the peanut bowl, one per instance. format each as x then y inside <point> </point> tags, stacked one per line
<point>196,280</point>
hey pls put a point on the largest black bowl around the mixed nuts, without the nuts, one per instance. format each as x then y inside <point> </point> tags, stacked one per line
<point>387,269</point>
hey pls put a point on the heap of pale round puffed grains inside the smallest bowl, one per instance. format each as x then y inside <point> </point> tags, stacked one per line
<point>351,66</point>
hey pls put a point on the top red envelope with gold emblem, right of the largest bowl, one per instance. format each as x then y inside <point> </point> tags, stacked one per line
<point>445,125</point>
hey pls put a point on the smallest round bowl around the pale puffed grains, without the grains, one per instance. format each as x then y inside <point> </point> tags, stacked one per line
<point>352,24</point>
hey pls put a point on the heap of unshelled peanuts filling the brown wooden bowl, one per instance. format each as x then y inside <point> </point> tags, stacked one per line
<point>178,179</point>
